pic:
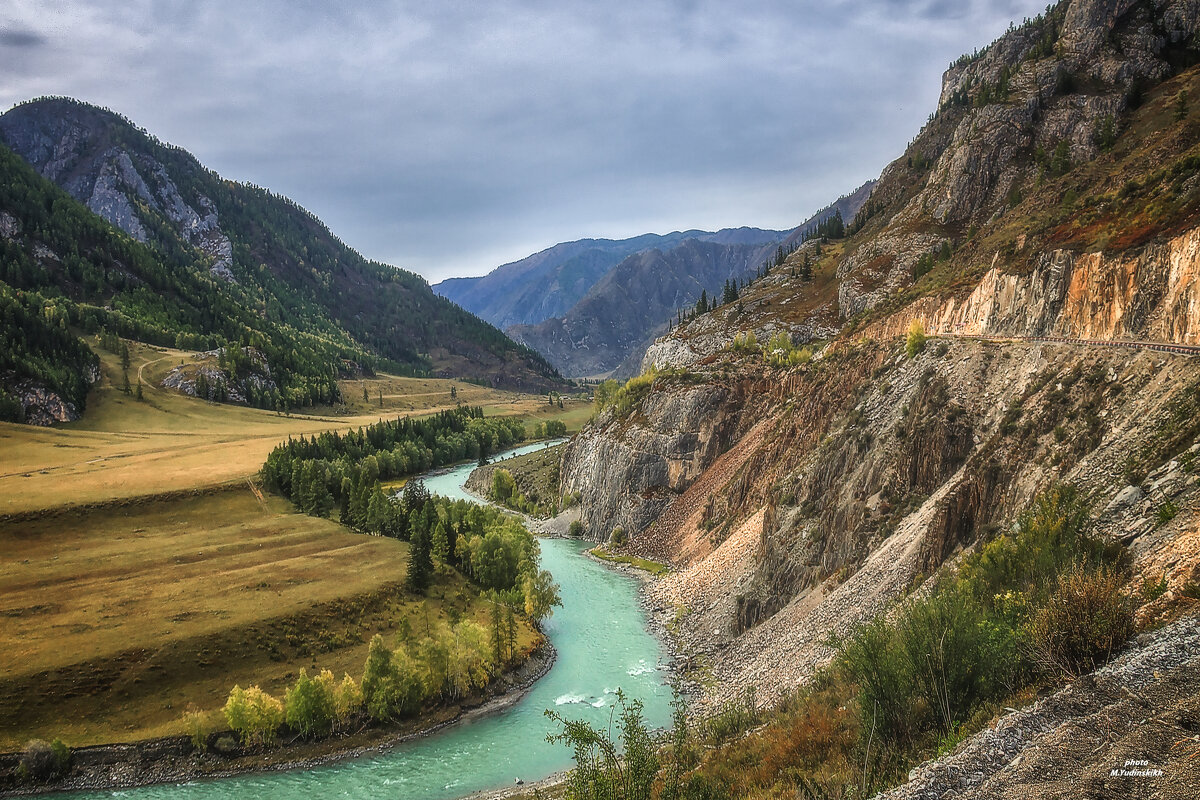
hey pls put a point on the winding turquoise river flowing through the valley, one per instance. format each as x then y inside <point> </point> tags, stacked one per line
<point>603,646</point>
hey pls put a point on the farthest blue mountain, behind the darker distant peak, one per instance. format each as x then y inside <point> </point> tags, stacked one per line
<point>548,284</point>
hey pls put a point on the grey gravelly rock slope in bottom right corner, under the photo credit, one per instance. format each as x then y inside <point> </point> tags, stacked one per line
<point>1141,708</point>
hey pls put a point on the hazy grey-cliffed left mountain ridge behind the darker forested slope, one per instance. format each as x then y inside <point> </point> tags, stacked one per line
<point>260,251</point>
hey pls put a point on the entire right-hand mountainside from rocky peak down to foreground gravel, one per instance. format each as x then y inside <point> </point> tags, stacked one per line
<point>831,473</point>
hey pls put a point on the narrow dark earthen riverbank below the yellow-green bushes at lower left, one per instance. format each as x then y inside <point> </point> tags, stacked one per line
<point>175,760</point>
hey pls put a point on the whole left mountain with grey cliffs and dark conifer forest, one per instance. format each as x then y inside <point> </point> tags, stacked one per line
<point>203,262</point>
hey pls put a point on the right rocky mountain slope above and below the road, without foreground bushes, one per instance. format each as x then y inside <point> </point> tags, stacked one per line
<point>802,488</point>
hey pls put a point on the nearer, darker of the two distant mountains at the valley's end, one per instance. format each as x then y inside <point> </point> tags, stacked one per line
<point>610,328</point>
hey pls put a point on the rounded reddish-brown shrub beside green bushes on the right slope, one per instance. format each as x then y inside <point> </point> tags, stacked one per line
<point>1083,623</point>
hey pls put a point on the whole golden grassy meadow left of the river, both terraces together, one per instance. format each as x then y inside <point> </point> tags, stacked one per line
<point>145,576</point>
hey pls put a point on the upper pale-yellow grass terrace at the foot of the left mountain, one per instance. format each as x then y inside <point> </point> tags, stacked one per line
<point>169,443</point>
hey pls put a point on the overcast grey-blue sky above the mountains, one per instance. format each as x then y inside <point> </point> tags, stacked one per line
<point>451,137</point>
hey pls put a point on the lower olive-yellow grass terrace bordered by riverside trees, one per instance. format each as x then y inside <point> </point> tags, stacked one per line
<point>119,619</point>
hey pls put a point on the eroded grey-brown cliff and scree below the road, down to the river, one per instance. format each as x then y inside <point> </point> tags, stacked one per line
<point>817,498</point>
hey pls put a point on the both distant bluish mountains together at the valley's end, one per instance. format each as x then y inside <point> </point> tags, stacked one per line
<point>593,306</point>
